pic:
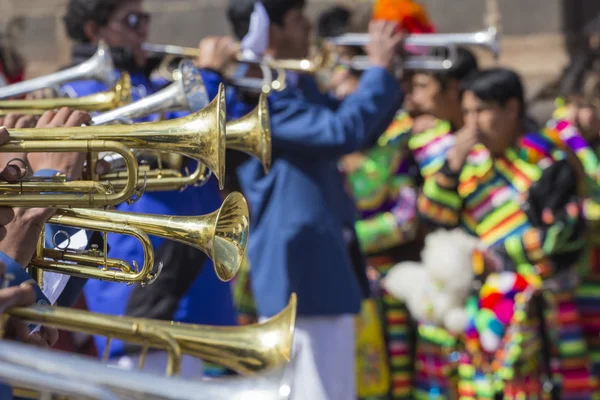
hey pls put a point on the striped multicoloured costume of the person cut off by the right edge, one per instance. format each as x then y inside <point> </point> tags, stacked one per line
<point>565,135</point>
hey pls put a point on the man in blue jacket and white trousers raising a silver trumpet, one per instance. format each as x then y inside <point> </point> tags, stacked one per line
<point>301,237</point>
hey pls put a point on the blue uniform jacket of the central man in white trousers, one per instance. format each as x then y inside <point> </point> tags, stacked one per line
<point>299,209</point>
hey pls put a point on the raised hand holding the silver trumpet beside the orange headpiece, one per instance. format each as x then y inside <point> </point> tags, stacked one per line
<point>384,44</point>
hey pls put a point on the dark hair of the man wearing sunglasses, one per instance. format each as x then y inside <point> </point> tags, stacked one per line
<point>79,12</point>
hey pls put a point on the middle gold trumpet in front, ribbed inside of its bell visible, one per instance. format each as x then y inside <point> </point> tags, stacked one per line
<point>222,235</point>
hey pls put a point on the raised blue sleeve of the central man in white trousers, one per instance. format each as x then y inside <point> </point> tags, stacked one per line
<point>299,125</point>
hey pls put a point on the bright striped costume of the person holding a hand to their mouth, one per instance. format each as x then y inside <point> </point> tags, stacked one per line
<point>485,200</point>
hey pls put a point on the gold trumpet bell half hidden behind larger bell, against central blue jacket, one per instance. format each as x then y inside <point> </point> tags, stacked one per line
<point>251,134</point>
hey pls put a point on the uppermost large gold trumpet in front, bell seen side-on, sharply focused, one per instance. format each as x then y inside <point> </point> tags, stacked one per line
<point>200,136</point>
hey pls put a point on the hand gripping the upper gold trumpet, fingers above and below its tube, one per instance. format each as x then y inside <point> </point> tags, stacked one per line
<point>70,164</point>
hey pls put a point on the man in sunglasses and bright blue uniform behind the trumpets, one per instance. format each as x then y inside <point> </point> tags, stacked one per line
<point>188,284</point>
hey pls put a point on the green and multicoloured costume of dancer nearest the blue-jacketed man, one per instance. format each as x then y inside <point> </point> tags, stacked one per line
<point>383,182</point>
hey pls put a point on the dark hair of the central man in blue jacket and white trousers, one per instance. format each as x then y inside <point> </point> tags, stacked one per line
<point>239,12</point>
